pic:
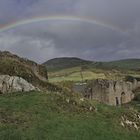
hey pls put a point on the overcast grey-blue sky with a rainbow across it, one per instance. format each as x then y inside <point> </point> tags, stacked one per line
<point>98,30</point>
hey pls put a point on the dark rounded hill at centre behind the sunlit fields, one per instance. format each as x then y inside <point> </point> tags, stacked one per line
<point>65,62</point>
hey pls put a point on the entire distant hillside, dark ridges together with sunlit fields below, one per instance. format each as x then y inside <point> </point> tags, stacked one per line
<point>69,69</point>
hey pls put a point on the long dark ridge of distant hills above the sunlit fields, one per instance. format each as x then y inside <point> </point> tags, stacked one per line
<point>64,62</point>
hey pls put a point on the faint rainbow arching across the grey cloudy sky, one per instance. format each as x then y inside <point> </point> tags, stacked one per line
<point>57,18</point>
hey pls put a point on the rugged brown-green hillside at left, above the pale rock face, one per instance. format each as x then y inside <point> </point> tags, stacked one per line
<point>13,65</point>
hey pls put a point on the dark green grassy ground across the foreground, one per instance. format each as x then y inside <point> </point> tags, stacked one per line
<point>50,116</point>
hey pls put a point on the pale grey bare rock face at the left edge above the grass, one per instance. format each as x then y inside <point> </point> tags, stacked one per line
<point>10,84</point>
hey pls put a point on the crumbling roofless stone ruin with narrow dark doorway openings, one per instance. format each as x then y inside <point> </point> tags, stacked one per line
<point>111,92</point>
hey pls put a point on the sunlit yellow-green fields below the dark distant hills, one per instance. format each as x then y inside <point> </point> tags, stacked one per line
<point>75,74</point>
